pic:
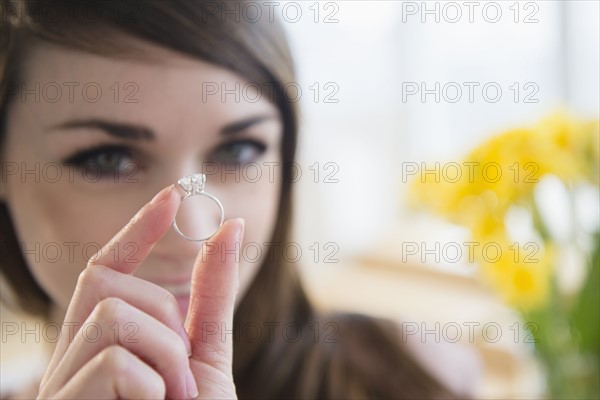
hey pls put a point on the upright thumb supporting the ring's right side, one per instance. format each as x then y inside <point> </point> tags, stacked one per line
<point>214,287</point>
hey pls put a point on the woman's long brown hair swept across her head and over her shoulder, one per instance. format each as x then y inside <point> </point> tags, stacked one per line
<point>363,358</point>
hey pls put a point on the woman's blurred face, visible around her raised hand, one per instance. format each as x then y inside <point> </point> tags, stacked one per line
<point>127,129</point>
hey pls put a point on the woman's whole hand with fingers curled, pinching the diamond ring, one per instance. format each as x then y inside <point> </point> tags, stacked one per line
<point>166,357</point>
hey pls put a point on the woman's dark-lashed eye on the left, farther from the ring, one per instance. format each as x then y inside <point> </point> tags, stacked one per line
<point>107,161</point>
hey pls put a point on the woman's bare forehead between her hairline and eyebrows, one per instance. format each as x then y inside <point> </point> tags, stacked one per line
<point>165,88</point>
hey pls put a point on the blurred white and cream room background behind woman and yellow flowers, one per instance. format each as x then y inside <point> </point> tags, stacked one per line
<point>371,111</point>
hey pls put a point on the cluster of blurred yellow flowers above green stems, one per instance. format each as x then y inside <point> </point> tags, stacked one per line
<point>503,171</point>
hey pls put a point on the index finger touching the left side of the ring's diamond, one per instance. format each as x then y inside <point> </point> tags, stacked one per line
<point>130,246</point>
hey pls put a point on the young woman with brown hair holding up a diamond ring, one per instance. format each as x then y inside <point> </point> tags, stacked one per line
<point>104,106</point>
